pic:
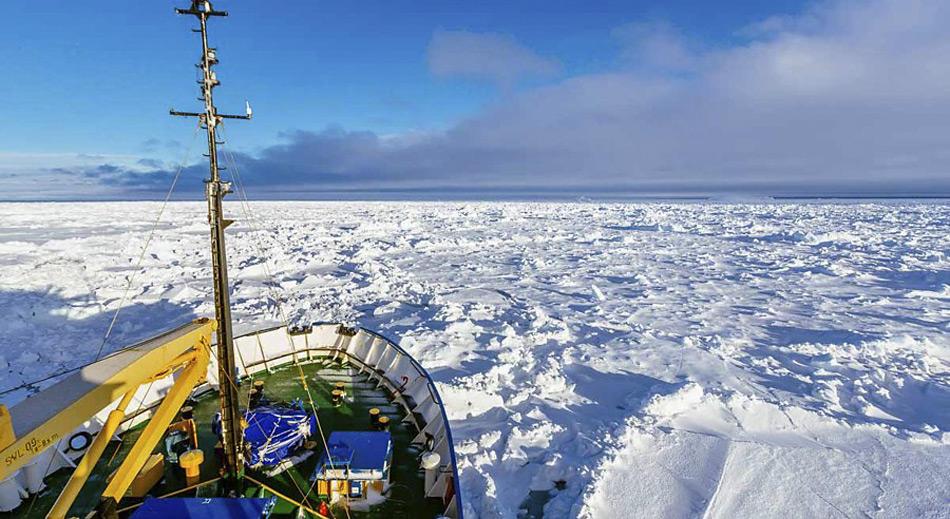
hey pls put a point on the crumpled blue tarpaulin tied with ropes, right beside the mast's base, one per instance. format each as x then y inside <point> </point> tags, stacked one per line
<point>274,432</point>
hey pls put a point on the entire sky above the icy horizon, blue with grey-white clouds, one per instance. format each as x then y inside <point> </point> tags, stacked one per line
<point>462,96</point>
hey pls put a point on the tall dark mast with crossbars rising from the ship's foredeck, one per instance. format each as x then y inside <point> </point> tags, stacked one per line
<point>215,189</point>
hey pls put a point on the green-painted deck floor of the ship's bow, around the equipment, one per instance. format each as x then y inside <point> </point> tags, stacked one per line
<point>405,496</point>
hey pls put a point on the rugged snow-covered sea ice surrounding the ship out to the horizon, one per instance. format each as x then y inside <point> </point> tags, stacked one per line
<point>655,359</point>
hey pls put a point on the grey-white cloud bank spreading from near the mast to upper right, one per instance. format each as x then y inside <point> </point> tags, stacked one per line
<point>850,97</point>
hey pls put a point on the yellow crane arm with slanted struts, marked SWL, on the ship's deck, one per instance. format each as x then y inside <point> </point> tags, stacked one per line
<point>41,421</point>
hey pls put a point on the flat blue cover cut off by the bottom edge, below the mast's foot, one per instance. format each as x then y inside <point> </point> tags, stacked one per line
<point>204,508</point>
